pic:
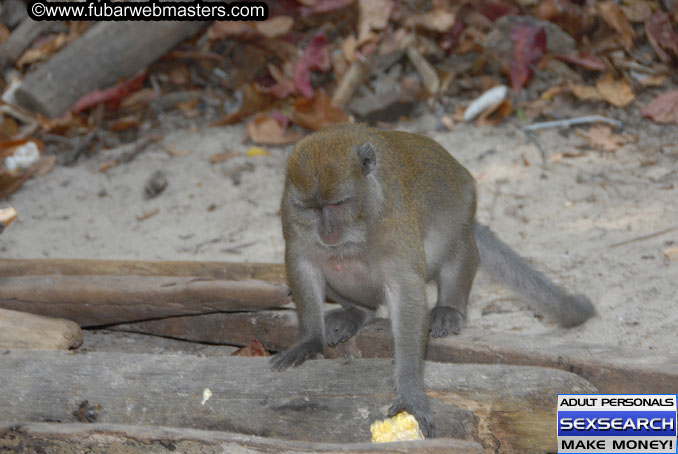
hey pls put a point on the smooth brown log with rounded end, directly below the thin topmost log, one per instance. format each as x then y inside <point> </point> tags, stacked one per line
<point>102,300</point>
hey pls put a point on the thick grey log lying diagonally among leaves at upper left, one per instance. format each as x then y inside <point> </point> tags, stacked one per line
<point>106,53</point>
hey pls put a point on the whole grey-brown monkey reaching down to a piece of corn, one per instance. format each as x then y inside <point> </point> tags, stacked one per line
<point>369,217</point>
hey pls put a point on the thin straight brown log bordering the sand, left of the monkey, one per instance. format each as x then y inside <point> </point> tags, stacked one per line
<point>230,271</point>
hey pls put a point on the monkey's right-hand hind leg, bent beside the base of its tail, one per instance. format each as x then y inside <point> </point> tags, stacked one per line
<point>455,279</point>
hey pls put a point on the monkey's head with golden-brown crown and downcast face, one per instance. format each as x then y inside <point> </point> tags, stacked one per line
<point>328,186</point>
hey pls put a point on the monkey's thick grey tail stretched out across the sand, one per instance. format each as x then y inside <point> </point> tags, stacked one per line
<point>503,264</point>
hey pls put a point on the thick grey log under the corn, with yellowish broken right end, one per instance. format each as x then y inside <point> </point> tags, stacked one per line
<point>323,400</point>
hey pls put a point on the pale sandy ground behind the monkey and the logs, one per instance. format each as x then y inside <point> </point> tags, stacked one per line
<point>565,216</point>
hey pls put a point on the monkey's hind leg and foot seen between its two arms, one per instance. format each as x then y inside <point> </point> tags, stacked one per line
<point>342,324</point>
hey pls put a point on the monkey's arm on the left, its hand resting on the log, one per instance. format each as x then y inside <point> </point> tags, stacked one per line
<point>308,291</point>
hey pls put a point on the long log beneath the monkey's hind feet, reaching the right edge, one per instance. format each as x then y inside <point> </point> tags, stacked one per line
<point>610,369</point>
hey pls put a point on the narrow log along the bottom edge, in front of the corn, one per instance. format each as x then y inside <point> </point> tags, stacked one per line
<point>116,439</point>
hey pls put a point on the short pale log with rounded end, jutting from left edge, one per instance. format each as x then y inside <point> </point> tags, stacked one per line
<point>19,330</point>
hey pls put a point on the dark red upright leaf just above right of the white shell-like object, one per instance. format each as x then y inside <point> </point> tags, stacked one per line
<point>529,45</point>
